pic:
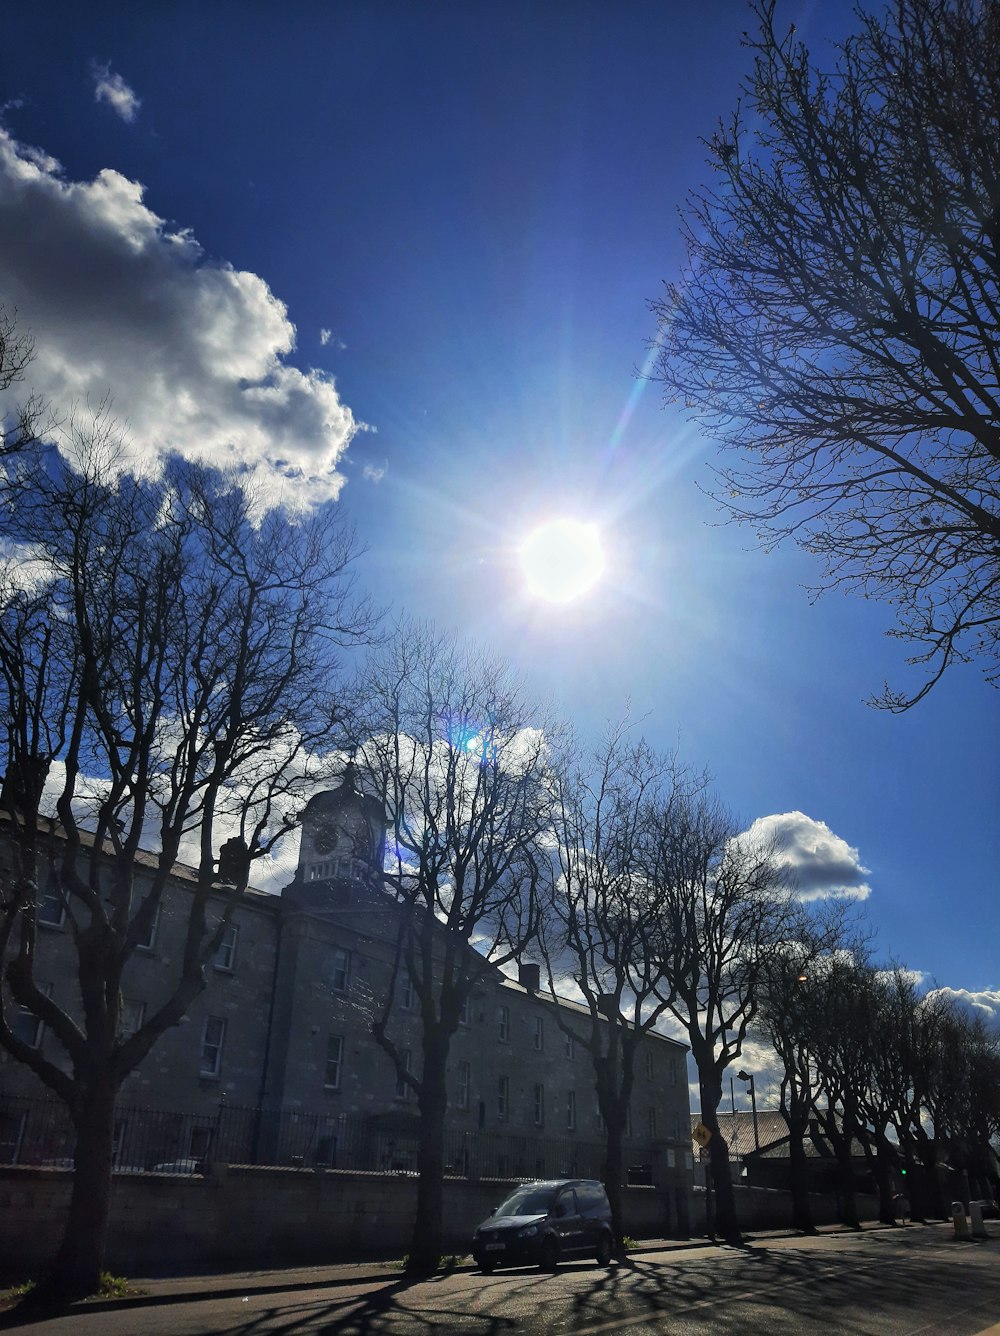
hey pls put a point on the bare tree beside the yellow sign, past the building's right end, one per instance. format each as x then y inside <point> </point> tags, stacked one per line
<point>726,912</point>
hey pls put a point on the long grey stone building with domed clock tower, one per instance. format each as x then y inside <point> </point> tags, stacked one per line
<point>276,1060</point>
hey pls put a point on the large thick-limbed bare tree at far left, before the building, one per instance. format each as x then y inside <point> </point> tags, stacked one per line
<point>168,665</point>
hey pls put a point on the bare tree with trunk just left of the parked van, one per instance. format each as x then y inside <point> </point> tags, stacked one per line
<point>461,760</point>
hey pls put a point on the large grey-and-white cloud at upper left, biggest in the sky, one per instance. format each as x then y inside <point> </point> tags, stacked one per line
<point>192,351</point>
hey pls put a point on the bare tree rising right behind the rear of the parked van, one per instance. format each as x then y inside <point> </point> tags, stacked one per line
<point>604,917</point>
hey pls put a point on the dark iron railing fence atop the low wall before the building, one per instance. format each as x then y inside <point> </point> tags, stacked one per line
<point>39,1132</point>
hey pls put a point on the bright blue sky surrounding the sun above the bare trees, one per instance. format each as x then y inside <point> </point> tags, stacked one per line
<point>401,253</point>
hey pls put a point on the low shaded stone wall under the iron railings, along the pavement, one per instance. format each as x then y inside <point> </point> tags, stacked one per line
<point>248,1216</point>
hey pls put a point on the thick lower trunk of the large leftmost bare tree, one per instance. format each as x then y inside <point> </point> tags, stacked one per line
<point>79,1263</point>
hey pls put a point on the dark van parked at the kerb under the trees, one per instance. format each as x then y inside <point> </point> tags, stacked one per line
<point>543,1223</point>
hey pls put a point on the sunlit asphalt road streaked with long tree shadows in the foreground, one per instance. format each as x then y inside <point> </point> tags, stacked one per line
<point>913,1282</point>
